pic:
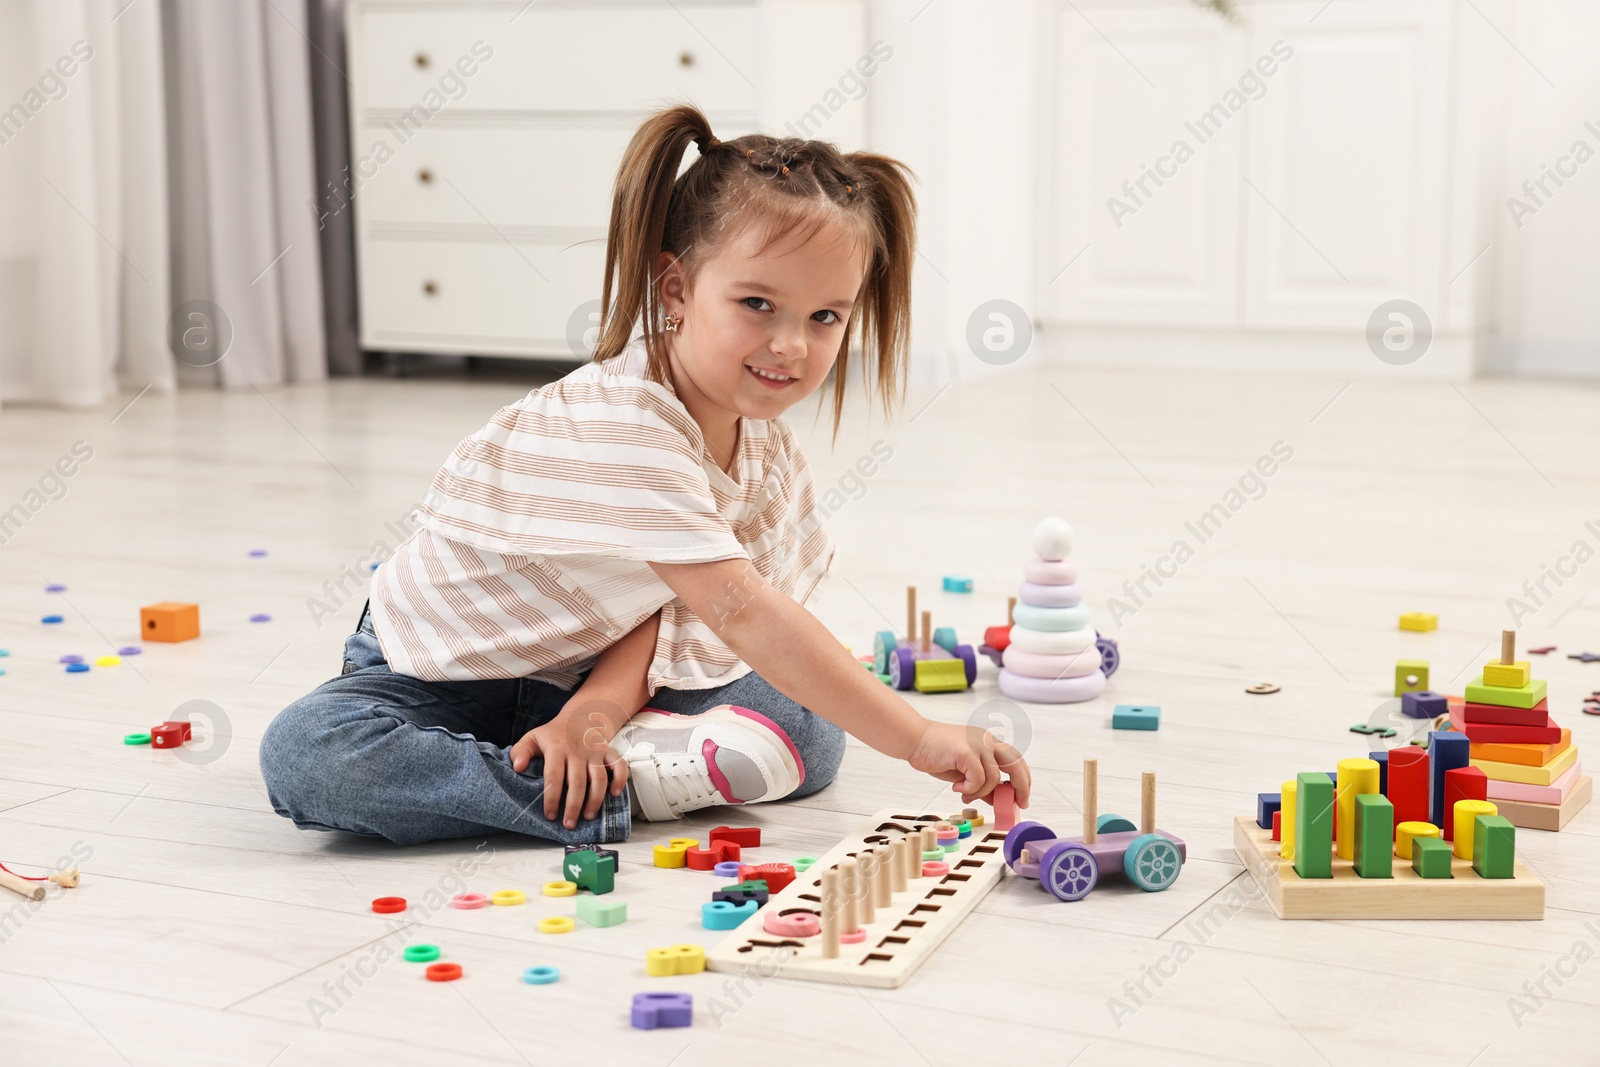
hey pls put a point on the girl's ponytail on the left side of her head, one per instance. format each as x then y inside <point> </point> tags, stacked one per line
<point>639,222</point>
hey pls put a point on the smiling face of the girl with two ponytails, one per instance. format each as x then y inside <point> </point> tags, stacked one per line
<point>761,329</point>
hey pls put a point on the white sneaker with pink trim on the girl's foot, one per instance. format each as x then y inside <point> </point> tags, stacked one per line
<point>729,756</point>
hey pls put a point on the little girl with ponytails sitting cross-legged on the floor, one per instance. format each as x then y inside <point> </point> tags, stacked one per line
<point>642,532</point>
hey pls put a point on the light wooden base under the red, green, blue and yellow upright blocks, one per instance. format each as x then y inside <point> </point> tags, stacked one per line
<point>1404,897</point>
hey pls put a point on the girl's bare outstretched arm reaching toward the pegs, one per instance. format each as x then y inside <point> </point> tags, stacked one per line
<point>794,652</point>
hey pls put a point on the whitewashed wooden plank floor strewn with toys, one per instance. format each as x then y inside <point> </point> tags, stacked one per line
<point>207,927</point>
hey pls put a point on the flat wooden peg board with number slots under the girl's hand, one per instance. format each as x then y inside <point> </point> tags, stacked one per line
<point>903,935</point>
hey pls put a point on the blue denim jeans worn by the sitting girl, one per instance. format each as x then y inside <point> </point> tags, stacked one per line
<point>388,756</point>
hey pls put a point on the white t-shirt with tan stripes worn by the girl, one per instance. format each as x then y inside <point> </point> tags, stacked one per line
<point>534,543</point>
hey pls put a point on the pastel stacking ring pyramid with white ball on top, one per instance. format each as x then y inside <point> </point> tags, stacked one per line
<point>1054,657</point>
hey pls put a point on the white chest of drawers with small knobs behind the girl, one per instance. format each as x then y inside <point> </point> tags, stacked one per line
<point>486,140</point>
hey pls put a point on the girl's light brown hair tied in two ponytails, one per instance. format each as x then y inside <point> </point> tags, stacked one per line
<point>785,185</point>
